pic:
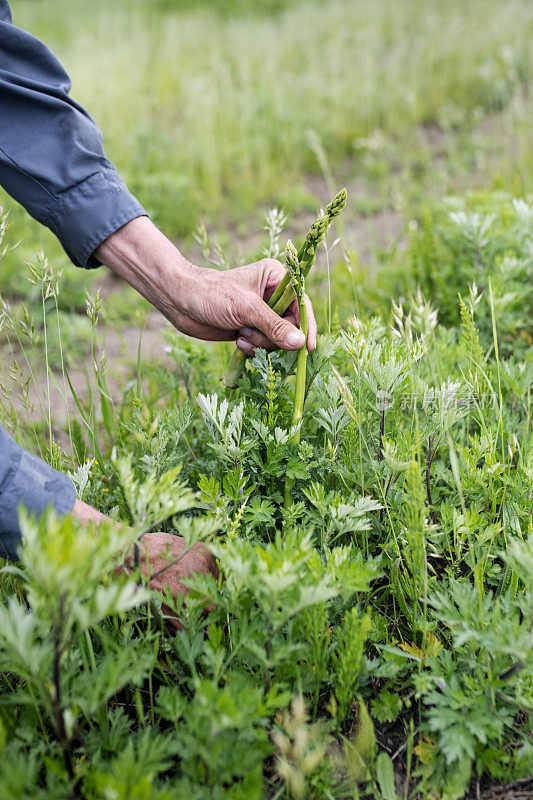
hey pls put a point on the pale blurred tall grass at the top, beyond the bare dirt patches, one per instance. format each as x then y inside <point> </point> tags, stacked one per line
<point>212,116</point>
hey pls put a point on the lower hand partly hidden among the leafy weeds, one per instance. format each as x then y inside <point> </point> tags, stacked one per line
<point>154,551</point>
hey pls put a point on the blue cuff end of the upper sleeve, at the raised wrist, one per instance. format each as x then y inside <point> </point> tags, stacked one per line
<point>90,212</point>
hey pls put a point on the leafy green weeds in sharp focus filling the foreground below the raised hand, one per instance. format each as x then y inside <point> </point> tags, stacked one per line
<point>390,602</point>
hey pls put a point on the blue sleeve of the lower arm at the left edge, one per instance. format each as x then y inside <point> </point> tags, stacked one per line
<point>26,480</point>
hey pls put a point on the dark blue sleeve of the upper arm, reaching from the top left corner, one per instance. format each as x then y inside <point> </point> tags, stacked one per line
<point>52,160</point>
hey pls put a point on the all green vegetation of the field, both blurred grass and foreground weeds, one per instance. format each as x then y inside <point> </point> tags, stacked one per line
<point>400,580</point>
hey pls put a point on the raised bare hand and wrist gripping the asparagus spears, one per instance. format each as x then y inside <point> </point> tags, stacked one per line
<point>204,302</point>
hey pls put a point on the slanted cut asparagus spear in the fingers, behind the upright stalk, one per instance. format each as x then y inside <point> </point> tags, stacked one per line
<point>284,293</point>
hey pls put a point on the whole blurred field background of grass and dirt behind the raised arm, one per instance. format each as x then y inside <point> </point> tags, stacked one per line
<point>215,112</point>
